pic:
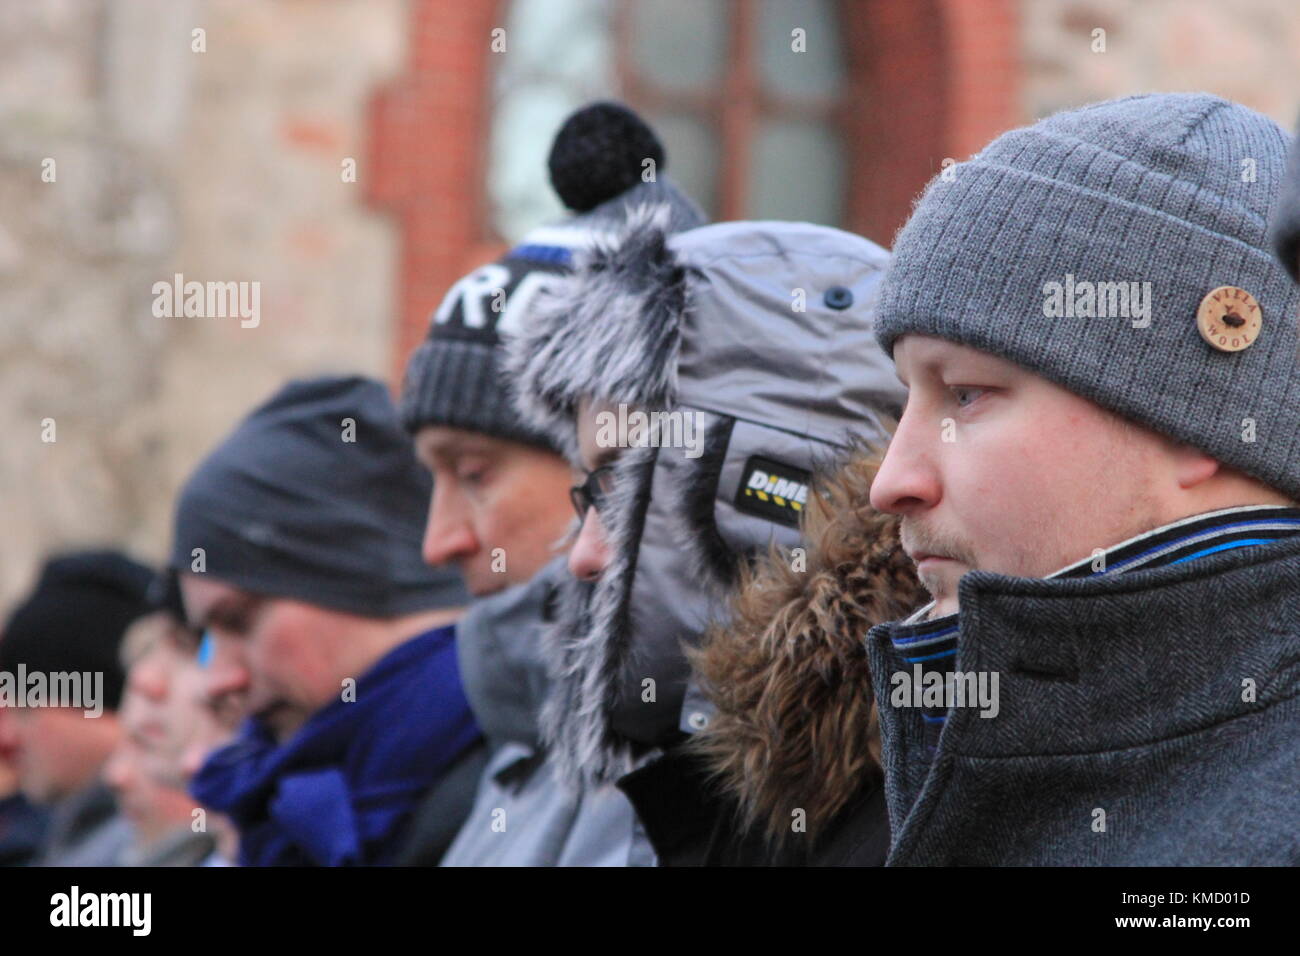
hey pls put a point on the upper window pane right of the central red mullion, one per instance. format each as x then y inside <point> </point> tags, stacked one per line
<point>814,73</point>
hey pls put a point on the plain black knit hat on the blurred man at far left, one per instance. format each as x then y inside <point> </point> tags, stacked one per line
<point>76,617</point>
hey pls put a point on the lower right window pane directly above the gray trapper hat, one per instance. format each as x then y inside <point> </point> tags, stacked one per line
<point>798,172</point>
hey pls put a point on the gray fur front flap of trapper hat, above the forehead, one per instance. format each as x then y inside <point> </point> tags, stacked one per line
<point>612,332</point>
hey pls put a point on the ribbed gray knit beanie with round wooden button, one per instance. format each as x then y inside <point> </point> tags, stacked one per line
<point>1141,207</point>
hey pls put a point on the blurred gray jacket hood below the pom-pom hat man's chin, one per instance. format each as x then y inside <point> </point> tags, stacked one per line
<point>500,652</point>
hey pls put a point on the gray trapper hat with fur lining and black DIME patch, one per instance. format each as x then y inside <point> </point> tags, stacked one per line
<point>760,335</point>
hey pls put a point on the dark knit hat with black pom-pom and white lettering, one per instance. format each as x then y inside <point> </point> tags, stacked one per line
<point>456,378</point>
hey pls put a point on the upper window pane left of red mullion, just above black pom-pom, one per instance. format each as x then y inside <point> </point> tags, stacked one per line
<point>679,45</point>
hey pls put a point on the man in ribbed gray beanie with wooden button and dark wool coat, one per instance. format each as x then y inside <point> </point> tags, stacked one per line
<point>1098,474</point>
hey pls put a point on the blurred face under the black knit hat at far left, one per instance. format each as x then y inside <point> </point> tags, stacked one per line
<point>55,751</point>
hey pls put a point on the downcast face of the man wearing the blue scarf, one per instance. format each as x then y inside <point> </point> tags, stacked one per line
<point>275,659</point>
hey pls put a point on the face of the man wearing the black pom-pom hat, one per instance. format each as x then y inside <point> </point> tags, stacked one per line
<point>500,508</point>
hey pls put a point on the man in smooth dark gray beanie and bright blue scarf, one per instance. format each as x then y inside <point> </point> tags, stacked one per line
<point>298,556</point>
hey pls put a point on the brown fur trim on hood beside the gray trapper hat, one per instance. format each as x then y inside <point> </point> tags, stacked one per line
<point>796,725</point>
